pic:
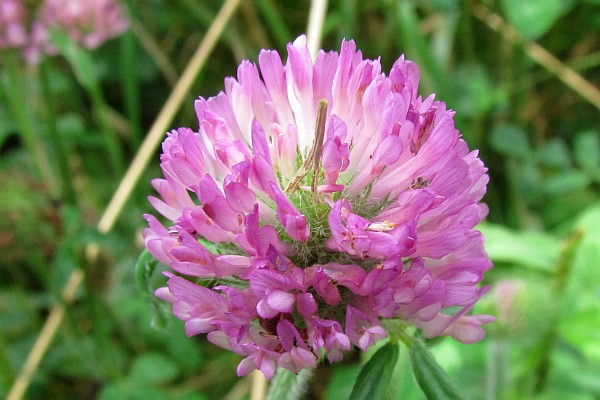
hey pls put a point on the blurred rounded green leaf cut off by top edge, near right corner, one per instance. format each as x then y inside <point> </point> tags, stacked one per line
<point>533,18</point>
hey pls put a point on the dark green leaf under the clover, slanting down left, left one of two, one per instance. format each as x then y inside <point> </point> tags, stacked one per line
<point>374,378</point>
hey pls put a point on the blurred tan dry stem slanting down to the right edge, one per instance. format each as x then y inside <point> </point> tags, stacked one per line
<point>540,55</point>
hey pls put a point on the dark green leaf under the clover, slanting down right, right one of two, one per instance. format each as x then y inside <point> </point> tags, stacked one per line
<point>432,379</point>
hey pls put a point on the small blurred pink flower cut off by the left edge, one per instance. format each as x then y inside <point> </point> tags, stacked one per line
<point>13,31</point>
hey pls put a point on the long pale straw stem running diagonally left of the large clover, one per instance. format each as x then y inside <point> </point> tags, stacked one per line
<point>115,207</point>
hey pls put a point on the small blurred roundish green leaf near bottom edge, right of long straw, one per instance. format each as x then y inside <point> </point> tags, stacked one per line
<point>153,369</point>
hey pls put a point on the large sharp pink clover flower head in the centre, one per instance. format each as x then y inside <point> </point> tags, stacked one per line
<point>324,197</point>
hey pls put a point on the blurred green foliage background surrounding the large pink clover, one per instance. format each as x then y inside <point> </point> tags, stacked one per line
<point>86,114</point>
